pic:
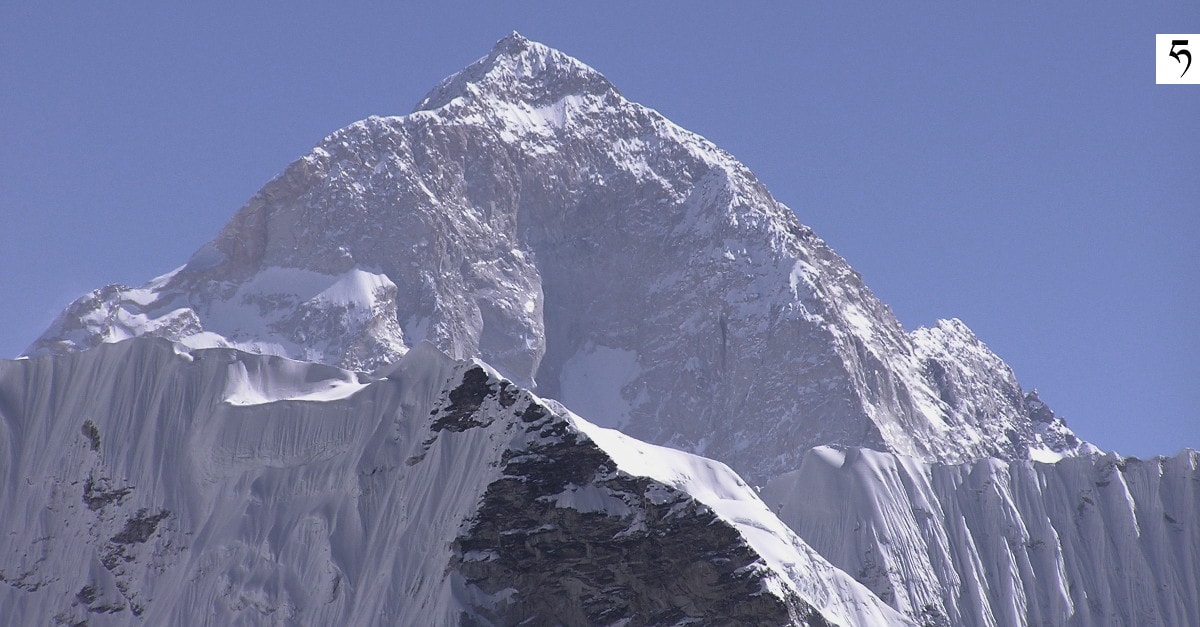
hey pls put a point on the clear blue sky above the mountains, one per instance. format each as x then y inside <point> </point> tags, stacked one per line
<point>1012,166</point>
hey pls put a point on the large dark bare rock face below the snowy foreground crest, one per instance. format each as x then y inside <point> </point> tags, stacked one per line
<point>658,558</point>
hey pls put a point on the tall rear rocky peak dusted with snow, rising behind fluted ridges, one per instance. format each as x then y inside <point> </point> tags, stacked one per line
<point>529,214</point>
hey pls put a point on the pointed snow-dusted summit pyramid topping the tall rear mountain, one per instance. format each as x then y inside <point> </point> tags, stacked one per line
<point>519,70</point>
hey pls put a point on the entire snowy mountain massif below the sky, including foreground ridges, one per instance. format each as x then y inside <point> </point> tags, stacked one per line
<point>405,386</point>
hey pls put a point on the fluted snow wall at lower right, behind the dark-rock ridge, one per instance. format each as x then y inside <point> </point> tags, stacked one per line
<point>1089,541</point>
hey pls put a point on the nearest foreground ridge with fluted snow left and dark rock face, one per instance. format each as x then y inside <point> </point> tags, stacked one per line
<point>149,486</point>
